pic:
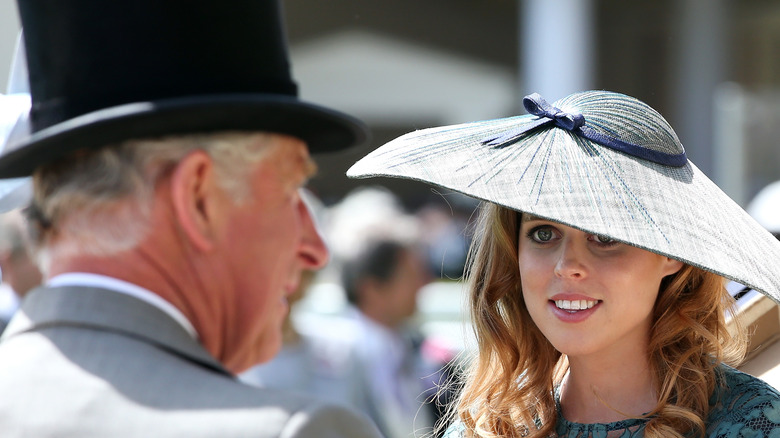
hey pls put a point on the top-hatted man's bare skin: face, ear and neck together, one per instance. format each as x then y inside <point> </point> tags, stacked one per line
<point>227,267</point>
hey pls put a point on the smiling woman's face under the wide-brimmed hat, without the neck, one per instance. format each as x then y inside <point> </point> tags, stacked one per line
<point>588,294</point>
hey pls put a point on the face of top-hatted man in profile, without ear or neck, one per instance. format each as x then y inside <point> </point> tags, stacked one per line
<point>269,240</point>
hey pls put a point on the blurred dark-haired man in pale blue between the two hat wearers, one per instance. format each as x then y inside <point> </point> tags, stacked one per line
<point>383,284</point>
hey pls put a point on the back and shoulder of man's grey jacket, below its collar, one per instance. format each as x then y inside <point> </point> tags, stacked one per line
<point>138,387</point>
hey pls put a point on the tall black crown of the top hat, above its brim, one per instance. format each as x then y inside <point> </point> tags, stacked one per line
<point>86,55</point>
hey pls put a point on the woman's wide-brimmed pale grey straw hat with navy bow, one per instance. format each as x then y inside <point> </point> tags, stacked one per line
<point>598,161</point>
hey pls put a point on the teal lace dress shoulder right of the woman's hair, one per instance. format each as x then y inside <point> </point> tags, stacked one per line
<point>743,405</point>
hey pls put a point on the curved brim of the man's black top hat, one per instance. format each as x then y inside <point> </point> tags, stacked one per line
<point>323,129</point>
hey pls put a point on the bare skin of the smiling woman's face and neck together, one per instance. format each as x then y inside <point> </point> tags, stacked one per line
<point>606,341</point>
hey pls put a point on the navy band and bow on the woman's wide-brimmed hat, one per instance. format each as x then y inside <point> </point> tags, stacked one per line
<point>575,123</point>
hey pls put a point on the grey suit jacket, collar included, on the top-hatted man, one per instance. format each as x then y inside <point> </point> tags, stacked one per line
<point>84,362</point>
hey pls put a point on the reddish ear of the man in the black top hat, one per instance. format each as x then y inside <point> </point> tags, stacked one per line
<point>196,196</point>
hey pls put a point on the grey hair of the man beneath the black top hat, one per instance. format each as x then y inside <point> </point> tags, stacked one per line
<point>99,202</point>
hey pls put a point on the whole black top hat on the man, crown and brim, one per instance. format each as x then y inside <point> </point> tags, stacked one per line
<point>107,71</point>
